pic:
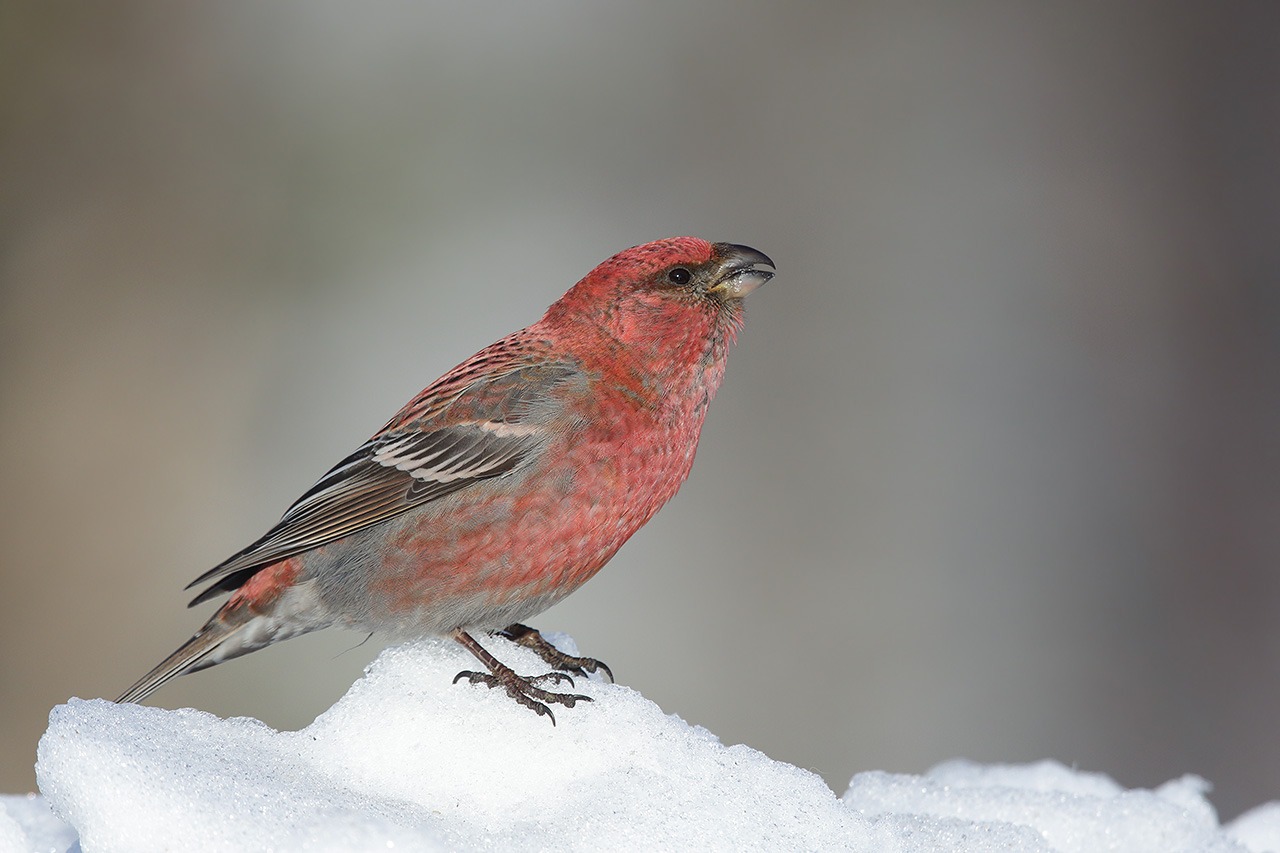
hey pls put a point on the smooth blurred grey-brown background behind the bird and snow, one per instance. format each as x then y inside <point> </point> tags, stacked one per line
<point>996,468</point>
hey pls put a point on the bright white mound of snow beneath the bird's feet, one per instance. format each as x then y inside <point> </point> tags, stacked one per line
<point>408,761</point>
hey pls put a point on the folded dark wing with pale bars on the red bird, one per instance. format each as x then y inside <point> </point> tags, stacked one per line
<point>486,430</point>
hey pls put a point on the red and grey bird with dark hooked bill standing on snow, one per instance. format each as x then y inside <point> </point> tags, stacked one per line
<point>505,485</point>
